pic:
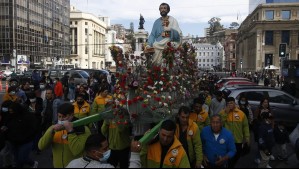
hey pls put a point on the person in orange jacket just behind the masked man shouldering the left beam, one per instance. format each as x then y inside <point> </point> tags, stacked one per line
<point>82,108</point>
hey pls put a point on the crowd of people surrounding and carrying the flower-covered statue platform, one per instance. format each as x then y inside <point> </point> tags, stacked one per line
<point>212,132</point>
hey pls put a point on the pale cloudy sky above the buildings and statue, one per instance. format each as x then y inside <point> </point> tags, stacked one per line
<point>192,15</point>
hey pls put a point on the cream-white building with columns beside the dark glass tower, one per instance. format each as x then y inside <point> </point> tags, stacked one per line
<point>87,40</point>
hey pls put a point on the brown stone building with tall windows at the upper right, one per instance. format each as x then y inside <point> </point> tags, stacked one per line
<point>263,31</point>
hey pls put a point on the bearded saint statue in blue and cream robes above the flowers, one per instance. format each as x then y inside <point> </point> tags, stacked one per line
<point>165,29</point>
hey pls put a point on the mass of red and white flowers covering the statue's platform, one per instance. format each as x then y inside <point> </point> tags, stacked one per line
<point>157,90</point>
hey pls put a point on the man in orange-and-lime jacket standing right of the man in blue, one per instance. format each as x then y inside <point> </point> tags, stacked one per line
<point>236,121</point>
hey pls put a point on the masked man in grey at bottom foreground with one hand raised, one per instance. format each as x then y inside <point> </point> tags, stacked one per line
<point>97,153</point>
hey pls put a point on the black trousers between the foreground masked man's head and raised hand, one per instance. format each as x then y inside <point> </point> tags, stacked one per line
<point>120,157</point>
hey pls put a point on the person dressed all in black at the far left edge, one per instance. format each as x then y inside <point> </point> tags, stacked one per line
<point>20,131</point>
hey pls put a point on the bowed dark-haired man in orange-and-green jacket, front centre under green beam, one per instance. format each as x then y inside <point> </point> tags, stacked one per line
<point>165,150</point>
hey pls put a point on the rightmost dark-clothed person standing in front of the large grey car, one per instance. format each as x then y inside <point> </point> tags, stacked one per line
<point>281,136</point>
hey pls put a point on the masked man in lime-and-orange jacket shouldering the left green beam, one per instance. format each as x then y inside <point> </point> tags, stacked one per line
<point>67,142</point>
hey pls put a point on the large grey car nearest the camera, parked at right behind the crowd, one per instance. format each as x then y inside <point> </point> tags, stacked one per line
<point>284,106</point>
